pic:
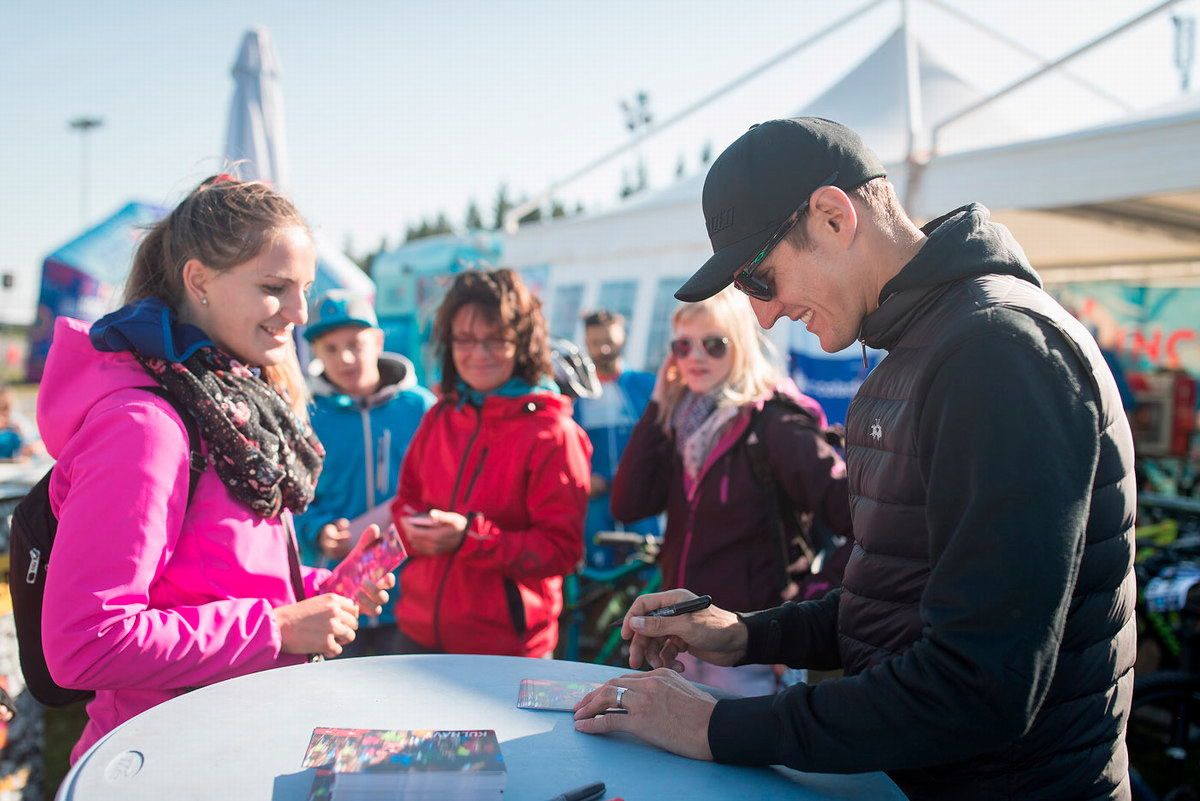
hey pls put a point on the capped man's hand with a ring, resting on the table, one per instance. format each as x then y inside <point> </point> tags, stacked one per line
<point>661,707</point>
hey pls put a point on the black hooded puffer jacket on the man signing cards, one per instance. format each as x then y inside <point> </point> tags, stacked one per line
<point>986,622</point>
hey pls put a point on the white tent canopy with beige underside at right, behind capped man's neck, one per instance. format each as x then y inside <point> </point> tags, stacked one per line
<point>1123,198</point>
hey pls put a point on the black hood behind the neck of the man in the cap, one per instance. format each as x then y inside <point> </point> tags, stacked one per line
<point>961,245</point>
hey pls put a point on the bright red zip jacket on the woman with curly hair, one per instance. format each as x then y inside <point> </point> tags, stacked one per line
<point>519,469</point>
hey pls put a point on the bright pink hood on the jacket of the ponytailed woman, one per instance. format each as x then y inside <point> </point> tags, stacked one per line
<point>76,378</point>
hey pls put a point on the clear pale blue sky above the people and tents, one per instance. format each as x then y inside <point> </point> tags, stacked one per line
<point>400,110</point>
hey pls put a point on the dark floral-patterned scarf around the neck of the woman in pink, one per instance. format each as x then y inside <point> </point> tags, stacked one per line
<point>267,457</point>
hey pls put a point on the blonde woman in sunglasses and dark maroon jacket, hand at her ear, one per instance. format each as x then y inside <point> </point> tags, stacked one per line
<point>692,456</point>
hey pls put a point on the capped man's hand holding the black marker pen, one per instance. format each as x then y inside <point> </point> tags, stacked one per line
<point>712,635</point>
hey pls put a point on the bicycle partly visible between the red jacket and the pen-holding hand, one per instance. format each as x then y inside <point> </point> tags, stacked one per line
<point>595,599</point>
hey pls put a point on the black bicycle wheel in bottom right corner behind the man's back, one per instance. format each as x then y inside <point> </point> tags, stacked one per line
<point>1163,736</point>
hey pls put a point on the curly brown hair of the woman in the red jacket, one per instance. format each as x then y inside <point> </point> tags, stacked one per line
<point>505,302</point>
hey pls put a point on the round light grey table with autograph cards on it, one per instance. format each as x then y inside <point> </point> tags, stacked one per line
<point>245,738</point>
